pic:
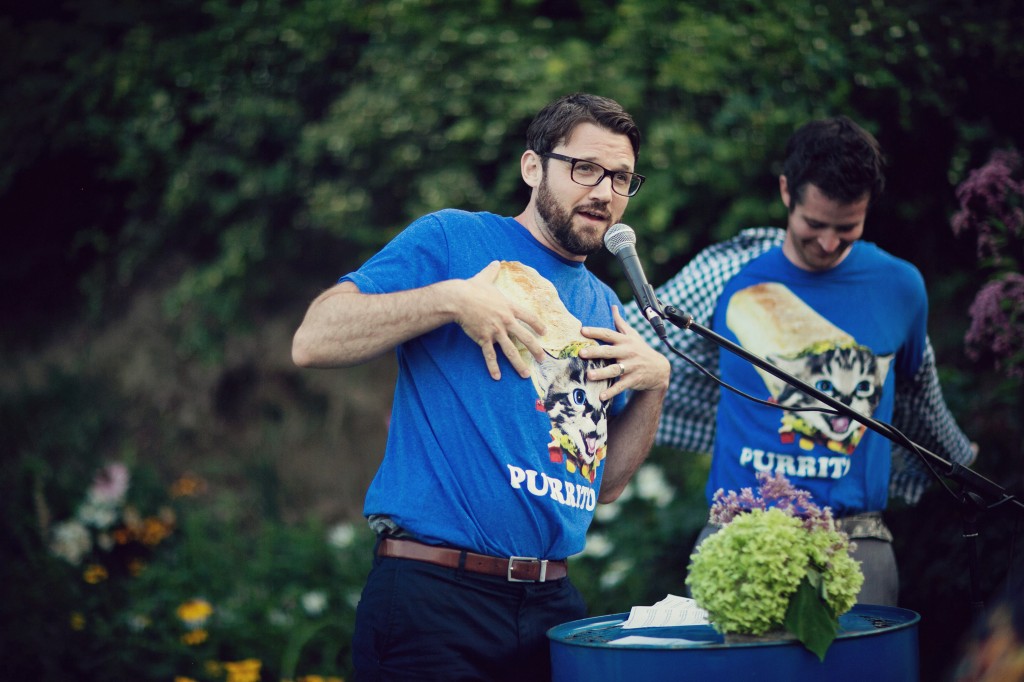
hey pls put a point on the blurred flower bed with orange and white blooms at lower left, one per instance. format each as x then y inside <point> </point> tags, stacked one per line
<point>150,583</point>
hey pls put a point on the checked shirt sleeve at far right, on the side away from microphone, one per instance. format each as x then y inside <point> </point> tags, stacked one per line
<point>922,415</point>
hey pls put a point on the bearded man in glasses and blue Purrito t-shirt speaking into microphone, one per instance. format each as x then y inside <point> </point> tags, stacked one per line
<point>475,513</point>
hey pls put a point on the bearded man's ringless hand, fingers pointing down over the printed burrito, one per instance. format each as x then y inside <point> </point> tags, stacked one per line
<point>492,320</point>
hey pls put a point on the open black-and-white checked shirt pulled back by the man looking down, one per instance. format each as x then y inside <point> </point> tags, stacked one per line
<point>691,409</point>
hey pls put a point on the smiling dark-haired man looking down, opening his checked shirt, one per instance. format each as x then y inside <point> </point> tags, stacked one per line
<point>840,315</point>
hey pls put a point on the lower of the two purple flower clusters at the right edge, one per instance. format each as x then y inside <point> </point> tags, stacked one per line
<point>998,324</point>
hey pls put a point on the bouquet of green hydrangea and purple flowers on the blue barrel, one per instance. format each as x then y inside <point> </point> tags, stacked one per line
<point>779,568</point>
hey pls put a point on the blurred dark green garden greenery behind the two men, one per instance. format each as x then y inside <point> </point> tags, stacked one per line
<point>181,179</point>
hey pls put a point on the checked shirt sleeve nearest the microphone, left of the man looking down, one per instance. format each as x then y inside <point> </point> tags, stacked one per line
<point>691,407</point>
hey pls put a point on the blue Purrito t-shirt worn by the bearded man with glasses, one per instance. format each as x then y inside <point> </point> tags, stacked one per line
<point>491,466</point>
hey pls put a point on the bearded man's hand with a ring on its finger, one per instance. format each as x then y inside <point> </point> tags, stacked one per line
<point>630,360</point>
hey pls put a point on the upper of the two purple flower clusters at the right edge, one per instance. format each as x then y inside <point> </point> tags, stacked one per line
<point>992,205</point>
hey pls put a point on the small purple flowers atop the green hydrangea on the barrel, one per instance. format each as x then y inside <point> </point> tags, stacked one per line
<point>775,492</point>
